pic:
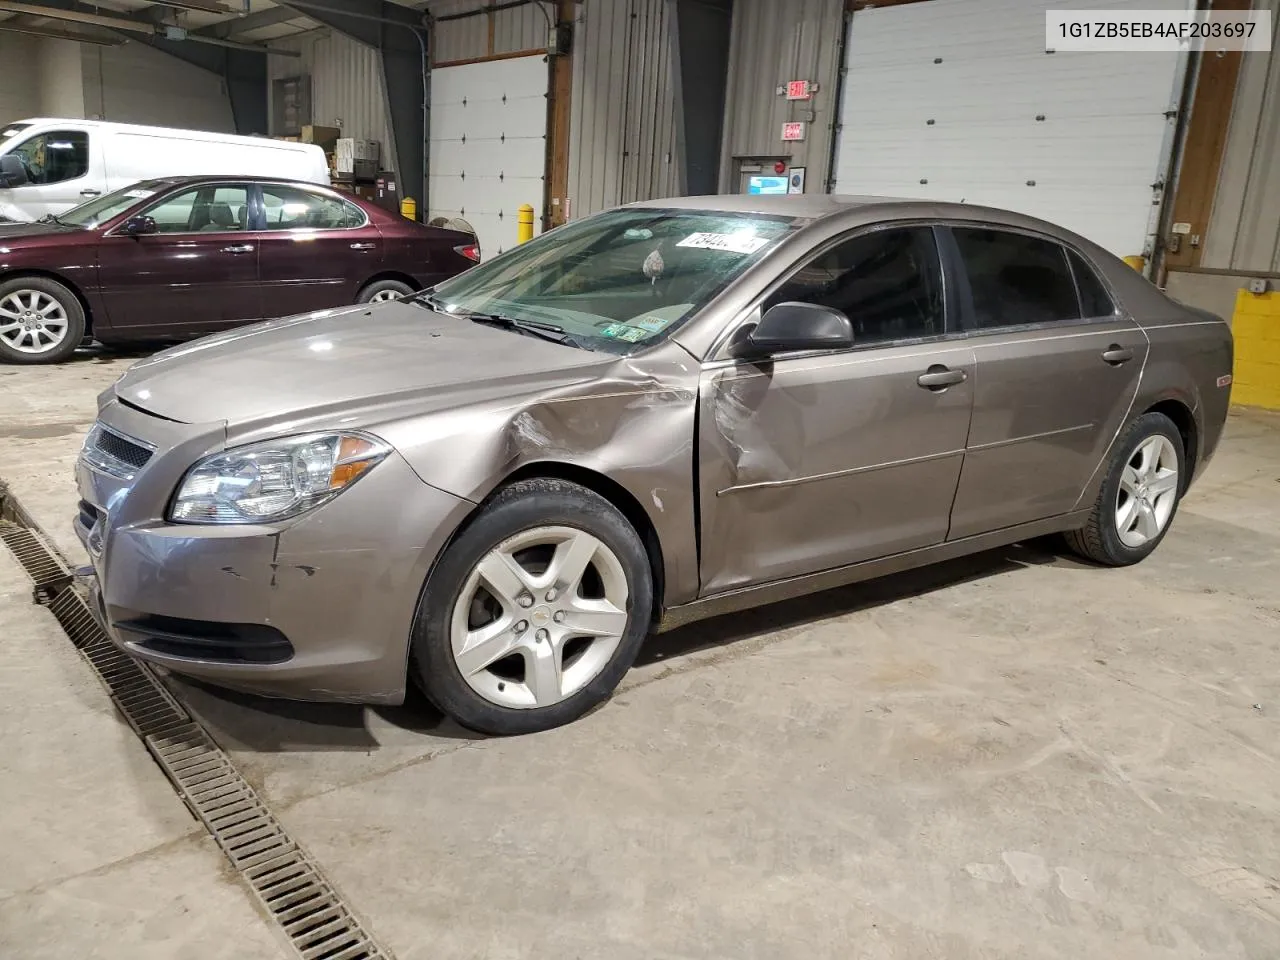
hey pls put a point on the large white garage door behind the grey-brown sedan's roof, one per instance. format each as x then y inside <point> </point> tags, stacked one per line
<point>958,100</point>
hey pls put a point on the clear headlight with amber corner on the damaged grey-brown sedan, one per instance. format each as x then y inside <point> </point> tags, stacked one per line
<point>275,481</point>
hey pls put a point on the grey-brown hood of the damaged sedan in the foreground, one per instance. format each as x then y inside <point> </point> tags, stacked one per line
<point>342,363</point>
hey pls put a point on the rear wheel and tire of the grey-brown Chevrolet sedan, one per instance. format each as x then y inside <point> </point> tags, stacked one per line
<point>1140,496</point>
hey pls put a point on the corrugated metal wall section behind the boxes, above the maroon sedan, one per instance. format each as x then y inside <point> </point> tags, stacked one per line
<point>348,86</point>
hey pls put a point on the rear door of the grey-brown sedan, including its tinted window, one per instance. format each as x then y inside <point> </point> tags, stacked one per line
<point>1058,372</point>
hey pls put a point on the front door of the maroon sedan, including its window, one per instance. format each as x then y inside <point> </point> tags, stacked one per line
<point>196,273</point>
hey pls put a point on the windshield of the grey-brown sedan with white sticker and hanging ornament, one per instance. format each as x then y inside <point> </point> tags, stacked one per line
<point>616,281</point>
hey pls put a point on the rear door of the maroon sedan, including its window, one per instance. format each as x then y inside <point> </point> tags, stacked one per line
<point>317,250</point>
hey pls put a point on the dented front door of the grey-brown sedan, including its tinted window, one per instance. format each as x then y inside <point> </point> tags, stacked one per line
<point>816,461</point>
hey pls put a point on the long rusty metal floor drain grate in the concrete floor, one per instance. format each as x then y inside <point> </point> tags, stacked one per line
<point>285,879</point>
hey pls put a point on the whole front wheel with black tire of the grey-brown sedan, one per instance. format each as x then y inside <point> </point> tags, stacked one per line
<point>536,612</point>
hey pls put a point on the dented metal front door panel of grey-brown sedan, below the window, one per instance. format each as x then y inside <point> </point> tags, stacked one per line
<point>816,463</point>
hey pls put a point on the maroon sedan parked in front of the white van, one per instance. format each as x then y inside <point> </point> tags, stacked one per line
<point>172,259</point>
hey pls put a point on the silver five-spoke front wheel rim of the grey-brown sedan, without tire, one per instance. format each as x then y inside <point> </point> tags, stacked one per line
<point>540,618</point>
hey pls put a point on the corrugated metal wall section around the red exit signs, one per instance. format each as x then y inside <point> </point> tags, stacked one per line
<point>775,43</point>
